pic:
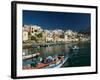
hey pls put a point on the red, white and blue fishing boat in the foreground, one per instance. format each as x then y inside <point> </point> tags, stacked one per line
<point>54,64</point>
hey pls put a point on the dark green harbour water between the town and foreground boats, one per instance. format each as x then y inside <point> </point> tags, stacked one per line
<point>80,57</point>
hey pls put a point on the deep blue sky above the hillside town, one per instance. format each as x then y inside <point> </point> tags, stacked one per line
<point>57,20</point>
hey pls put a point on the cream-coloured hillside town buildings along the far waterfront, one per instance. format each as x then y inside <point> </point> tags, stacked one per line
<point>34,33</point>
